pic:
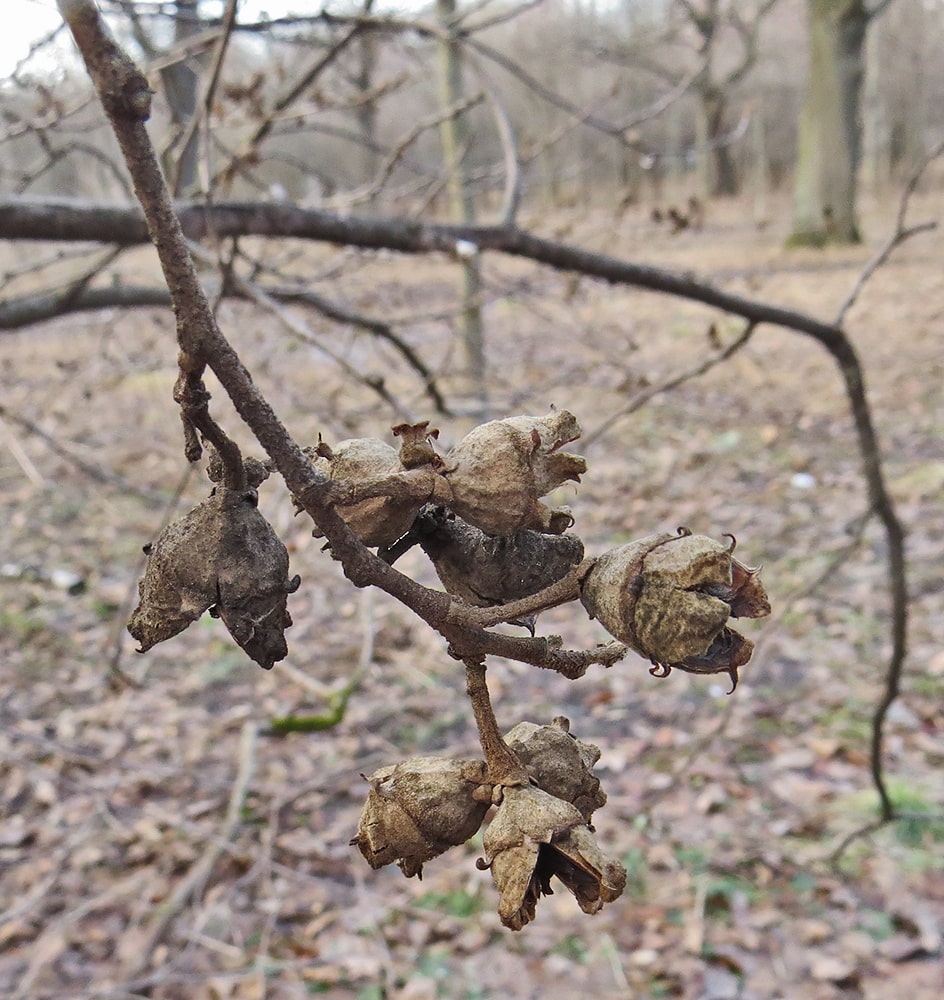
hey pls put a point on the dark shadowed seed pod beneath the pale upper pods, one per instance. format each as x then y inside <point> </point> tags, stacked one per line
<point>485,570</point>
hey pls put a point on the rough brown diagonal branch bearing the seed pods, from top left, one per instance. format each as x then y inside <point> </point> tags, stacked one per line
<point>125,97</point>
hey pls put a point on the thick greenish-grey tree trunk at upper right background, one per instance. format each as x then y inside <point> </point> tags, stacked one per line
<point>829,140</point>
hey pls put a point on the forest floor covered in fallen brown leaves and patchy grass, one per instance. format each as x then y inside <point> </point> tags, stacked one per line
<point>154,841</point>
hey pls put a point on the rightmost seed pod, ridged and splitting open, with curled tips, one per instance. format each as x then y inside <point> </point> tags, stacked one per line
<point>669,597</point>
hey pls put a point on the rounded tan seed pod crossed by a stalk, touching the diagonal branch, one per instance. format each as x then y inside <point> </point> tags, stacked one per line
<point>378,520</point>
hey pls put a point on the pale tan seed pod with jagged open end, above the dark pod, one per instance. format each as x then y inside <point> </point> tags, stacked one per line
<point>499,471</point>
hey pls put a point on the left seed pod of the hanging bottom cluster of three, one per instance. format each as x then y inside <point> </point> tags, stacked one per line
<point>419,808</point>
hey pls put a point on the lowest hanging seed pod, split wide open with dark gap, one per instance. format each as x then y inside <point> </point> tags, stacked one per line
<point>535,836</point>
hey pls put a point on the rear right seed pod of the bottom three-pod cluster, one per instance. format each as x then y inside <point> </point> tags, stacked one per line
<point>559,763</point>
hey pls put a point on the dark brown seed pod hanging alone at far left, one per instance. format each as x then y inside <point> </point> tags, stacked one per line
<point>223,557</point>
